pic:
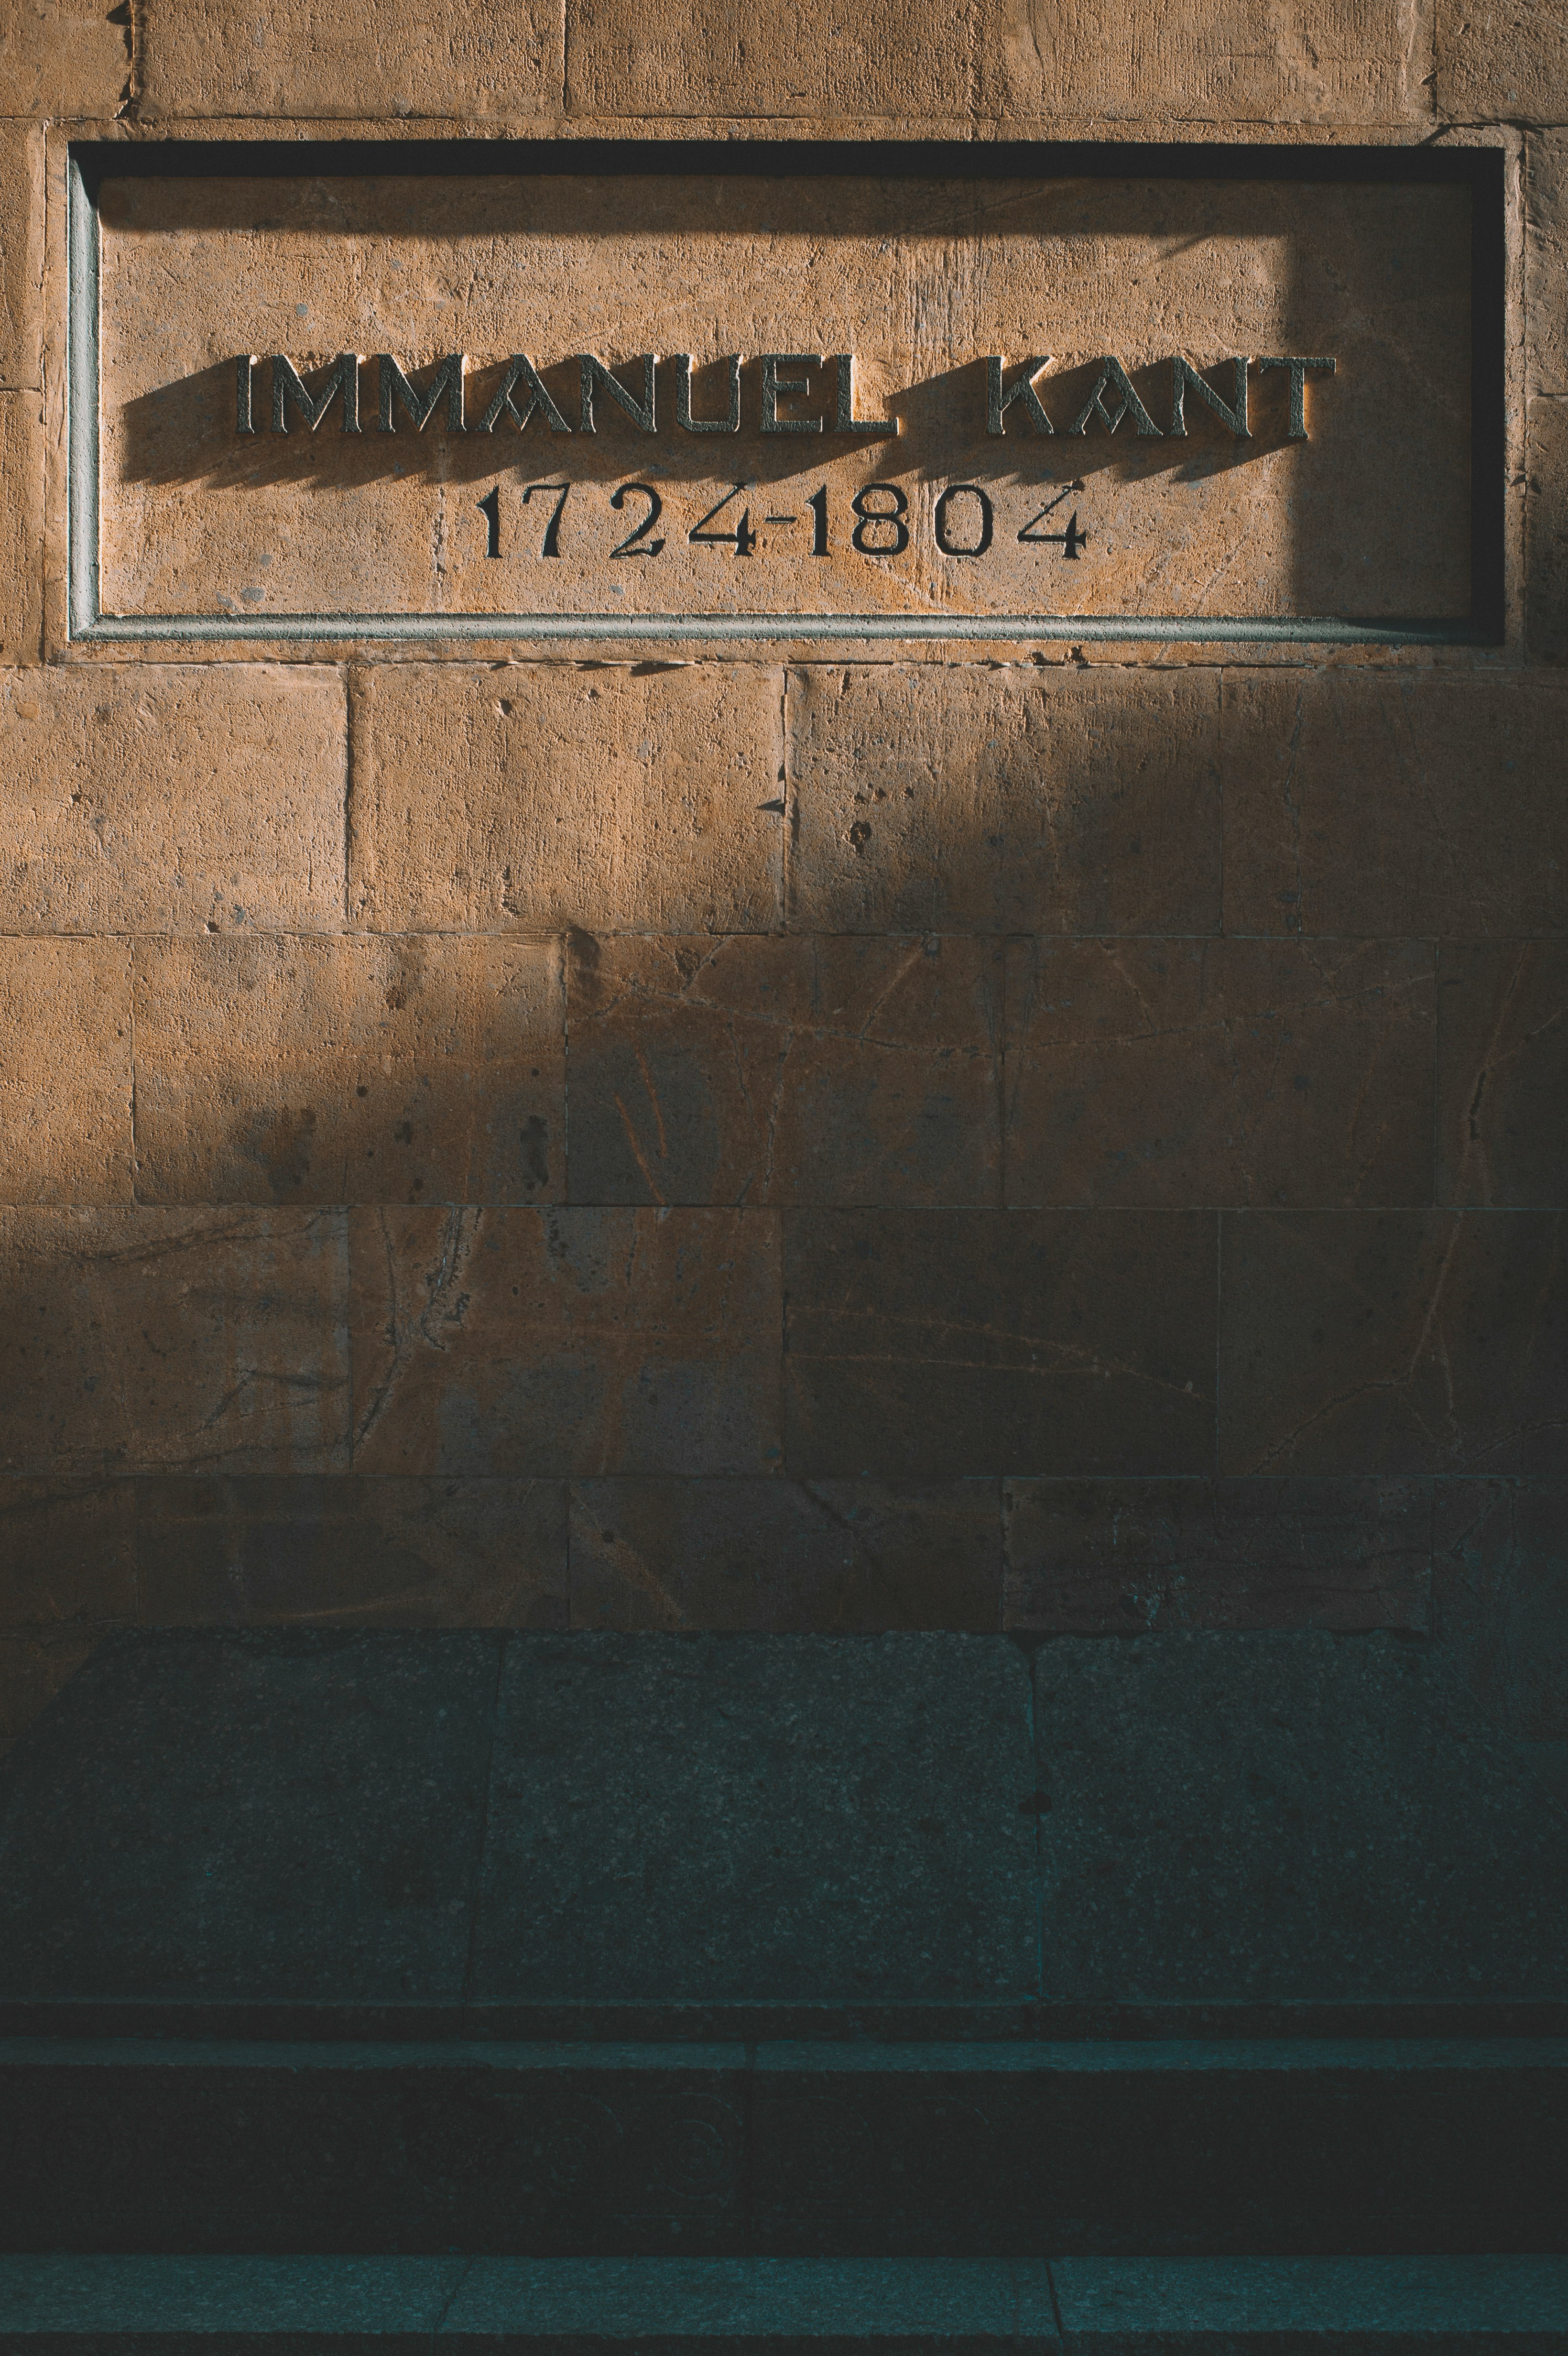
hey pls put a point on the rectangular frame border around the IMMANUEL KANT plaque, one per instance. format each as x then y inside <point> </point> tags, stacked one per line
<point>1480,168</point>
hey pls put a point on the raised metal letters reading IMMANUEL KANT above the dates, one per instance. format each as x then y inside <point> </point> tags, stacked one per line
<point>785,380</point>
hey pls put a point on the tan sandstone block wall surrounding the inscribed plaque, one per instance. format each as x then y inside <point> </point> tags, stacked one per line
<point>1065,1144</point>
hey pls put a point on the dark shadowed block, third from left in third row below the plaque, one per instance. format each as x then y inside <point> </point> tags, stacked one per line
<point>945,1344</point>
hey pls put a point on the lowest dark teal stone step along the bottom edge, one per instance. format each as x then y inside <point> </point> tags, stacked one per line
<point>1068,2308</point>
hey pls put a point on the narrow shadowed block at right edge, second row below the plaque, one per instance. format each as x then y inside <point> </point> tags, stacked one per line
<point>1503,1073</point>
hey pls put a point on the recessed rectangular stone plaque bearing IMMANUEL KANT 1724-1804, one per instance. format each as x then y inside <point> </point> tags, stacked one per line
<point>333,395</point>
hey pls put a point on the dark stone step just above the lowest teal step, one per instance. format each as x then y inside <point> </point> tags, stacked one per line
<point>792,2150</point>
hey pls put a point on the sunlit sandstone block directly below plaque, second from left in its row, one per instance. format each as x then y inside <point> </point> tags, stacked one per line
<point>543,798</point>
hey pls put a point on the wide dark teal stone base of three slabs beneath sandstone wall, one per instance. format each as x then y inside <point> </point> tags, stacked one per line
<point>460,1827</point>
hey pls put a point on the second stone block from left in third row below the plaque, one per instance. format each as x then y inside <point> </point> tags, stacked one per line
<point>566,1342</point>
